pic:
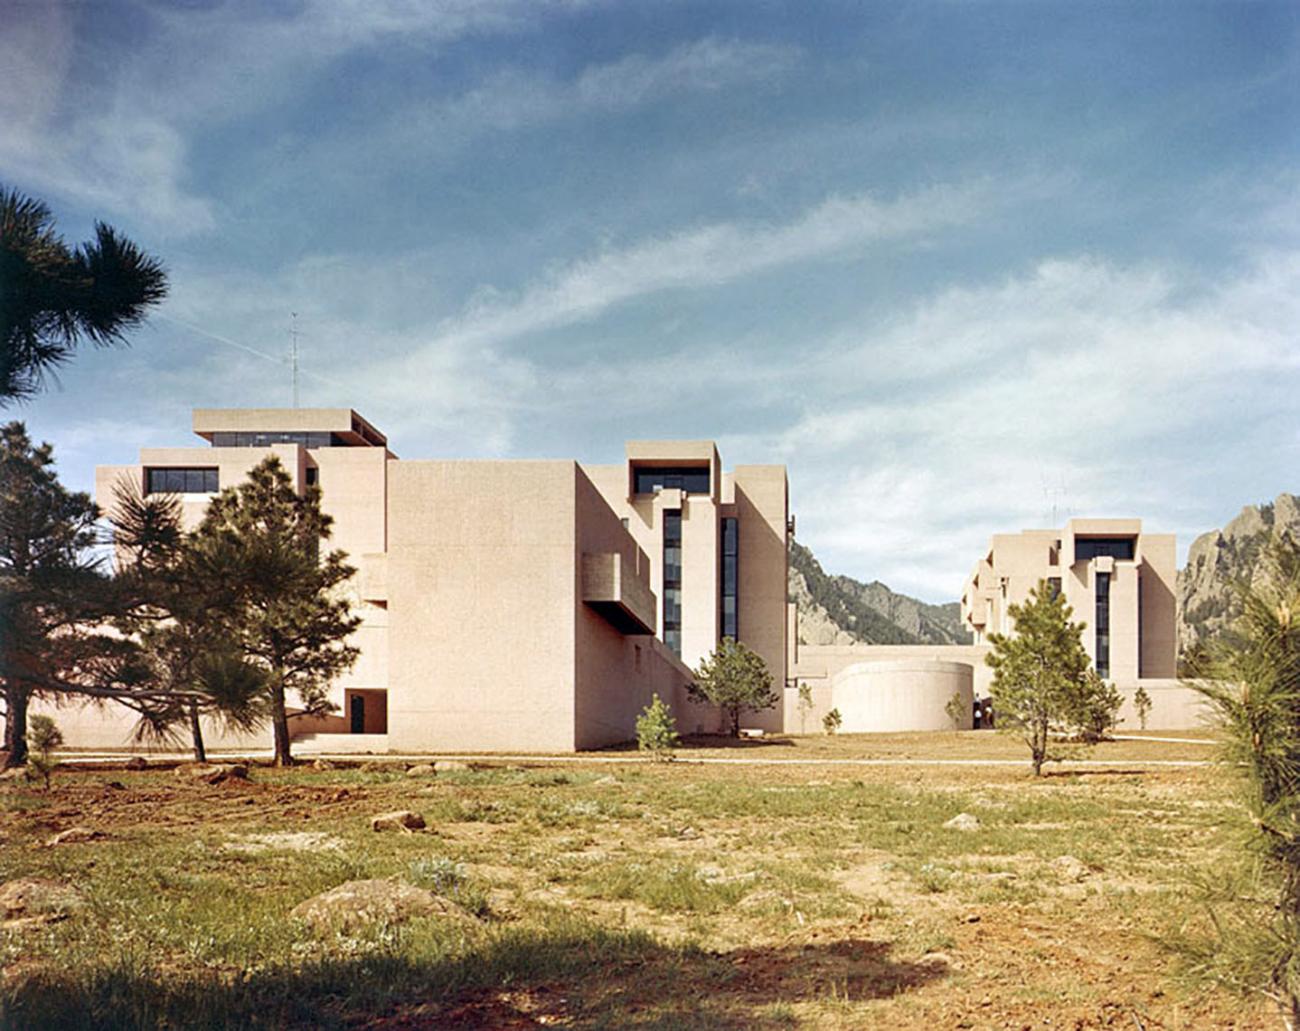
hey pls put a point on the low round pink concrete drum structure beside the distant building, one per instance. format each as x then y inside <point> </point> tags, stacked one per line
<point>903,695</point>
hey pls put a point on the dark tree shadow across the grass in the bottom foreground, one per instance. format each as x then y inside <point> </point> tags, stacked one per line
<point>580,977</point>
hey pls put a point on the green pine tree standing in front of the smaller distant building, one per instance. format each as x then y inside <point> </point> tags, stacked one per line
<point>1041,673</point>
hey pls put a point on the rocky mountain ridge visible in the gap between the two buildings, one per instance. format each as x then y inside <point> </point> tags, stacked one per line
<point>839,610</point>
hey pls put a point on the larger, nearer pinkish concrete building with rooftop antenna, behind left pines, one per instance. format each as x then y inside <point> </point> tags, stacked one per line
<point>506,605</point>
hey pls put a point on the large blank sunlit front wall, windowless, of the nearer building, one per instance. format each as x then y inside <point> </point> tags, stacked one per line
<point>483,594</point>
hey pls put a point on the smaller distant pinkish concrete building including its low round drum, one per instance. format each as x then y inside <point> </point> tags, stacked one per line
<point>1120,583</point>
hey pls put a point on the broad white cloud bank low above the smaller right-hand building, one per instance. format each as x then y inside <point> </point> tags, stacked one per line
<point>1081,374</point>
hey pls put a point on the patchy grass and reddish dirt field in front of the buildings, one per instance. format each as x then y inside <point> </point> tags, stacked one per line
<point>635,895</point>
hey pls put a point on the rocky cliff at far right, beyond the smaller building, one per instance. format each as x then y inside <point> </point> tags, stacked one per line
<point>1207,601</point>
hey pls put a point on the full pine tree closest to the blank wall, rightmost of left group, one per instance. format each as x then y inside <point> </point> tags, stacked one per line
<point>265,539</point>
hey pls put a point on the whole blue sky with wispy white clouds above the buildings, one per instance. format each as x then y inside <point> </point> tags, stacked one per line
<point>964,268</point>
